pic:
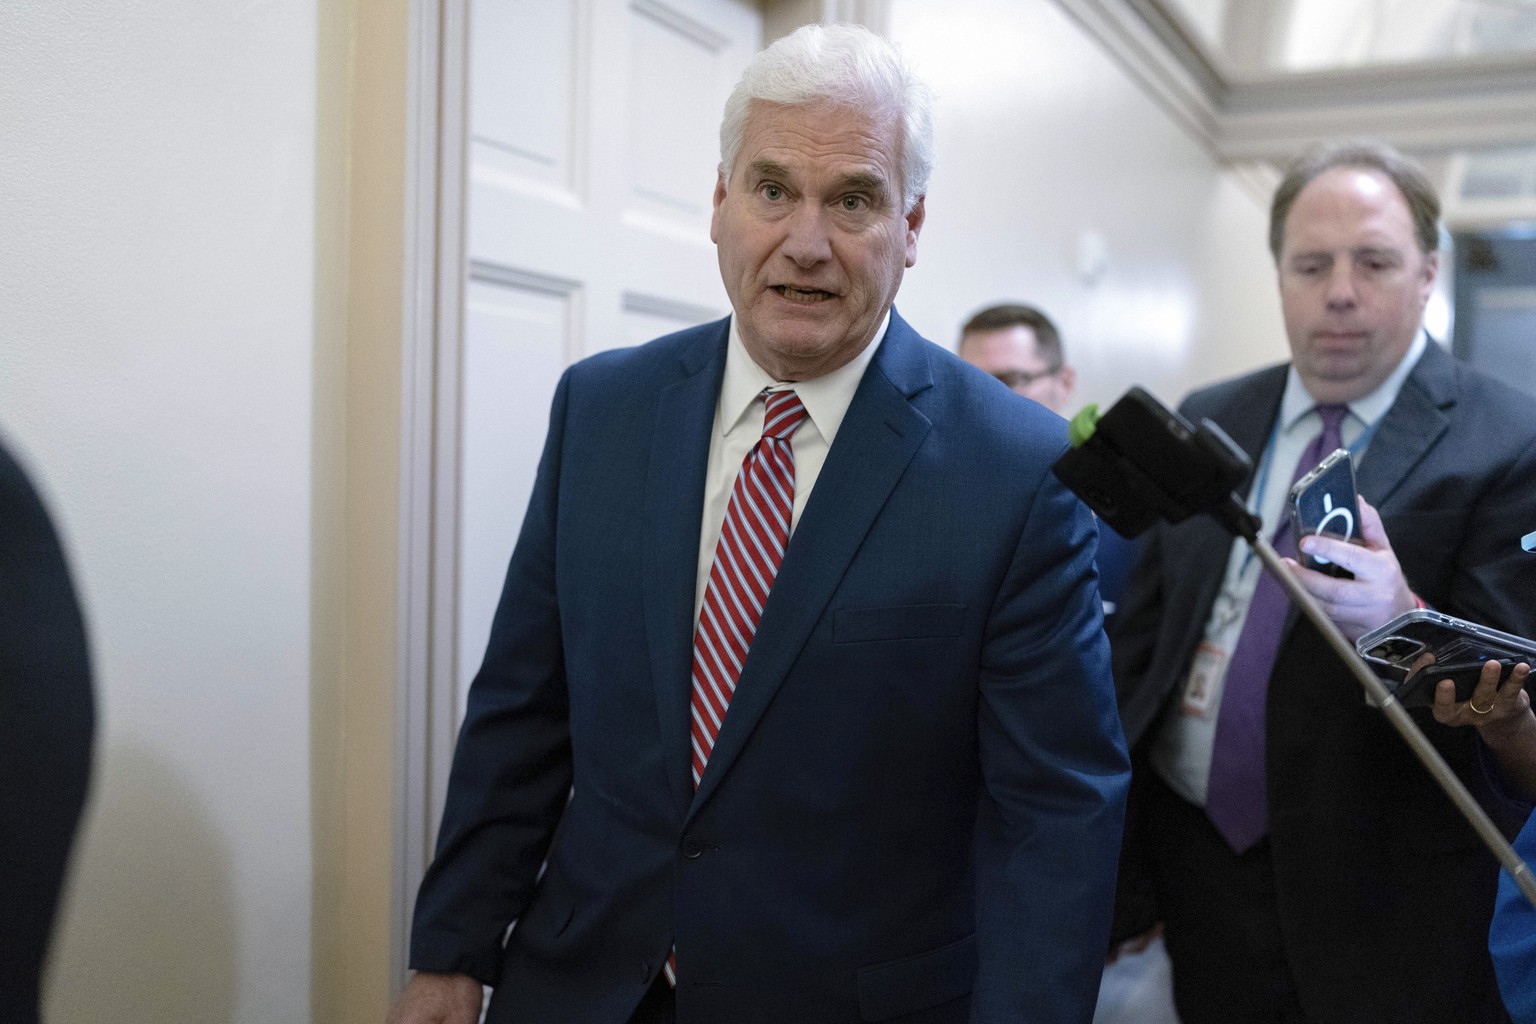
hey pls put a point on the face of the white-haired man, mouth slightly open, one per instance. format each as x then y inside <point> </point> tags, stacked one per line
<point>812,236</point>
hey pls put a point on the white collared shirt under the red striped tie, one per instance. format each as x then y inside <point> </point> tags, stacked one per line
<point>740,424</point>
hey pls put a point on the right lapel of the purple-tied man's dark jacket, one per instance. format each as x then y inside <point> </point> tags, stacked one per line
<point>1412,426</point>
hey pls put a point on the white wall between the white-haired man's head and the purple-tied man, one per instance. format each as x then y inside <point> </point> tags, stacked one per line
<point>1044,140</point>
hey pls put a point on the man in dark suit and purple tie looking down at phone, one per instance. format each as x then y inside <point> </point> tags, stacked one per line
<point>1305,865</point>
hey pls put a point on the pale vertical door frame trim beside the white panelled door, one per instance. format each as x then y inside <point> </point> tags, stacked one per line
<point>429,471</point>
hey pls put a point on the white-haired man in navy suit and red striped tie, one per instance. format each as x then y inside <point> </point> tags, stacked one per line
<point>904,801</point>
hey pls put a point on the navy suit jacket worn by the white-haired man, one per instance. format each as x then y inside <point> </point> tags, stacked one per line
<point>915,807</point>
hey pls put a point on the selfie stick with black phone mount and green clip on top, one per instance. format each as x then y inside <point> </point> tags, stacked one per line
<point>1142,463</point>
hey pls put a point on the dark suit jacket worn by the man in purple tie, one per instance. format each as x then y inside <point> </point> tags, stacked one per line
<point>1383,890</point>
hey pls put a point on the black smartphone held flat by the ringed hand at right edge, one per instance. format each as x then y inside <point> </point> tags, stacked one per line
<point>1458,650</point>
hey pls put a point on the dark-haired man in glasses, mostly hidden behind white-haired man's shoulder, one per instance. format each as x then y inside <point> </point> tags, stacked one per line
<point>1021,346</point>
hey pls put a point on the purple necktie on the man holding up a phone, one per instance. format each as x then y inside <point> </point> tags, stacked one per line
<point>1236,798</point>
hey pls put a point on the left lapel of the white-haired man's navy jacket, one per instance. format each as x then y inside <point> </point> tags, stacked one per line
<point>674,514</point>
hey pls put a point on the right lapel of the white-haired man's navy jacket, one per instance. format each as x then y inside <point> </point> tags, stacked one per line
<point>875,444</point>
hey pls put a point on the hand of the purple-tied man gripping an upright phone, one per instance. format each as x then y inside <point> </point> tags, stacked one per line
<point>1375,596</point>
